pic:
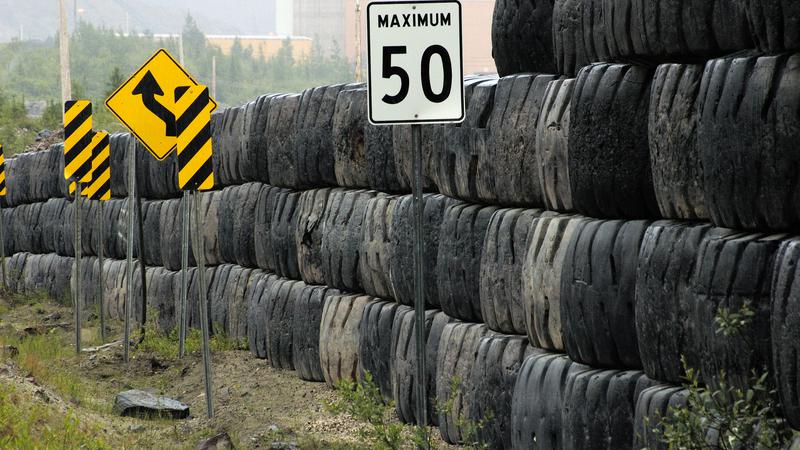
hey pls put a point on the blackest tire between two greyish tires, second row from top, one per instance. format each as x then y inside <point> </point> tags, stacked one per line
<point>609,112</point>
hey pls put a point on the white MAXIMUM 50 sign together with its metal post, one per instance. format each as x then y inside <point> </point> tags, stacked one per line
<point>416,77</point>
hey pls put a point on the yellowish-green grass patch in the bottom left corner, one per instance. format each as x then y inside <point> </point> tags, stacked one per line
<point>32,425</point>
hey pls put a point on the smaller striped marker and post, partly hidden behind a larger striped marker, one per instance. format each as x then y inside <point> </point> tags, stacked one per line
<point>100,189</point>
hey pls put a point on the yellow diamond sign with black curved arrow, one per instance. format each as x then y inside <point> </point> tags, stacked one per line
<point>146,102</point>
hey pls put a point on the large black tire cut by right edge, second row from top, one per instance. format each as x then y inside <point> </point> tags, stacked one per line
<point>747,140</point>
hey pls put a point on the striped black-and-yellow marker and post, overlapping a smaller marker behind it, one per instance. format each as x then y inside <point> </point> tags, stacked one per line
<point>77,170</point>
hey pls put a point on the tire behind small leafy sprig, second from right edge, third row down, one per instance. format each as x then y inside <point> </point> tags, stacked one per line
<point>732,269</point>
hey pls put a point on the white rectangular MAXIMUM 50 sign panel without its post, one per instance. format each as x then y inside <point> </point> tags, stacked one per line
<point>415,62</point>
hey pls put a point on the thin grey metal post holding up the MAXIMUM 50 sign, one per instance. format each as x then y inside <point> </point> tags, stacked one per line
<point>419,283</point>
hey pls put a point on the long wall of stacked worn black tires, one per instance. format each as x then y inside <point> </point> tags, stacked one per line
<point>582,228</point>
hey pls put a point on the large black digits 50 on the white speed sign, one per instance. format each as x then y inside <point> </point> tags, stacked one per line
<point>391,71</point>
